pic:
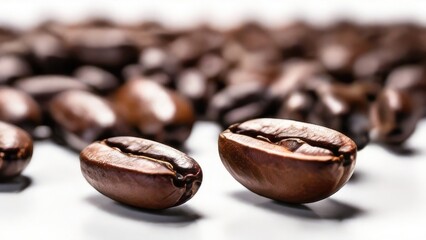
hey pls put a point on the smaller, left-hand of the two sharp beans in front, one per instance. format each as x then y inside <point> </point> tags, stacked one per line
<point>140,172</point>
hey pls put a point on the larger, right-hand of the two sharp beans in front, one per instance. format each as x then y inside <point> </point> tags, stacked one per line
<point>286,160</point>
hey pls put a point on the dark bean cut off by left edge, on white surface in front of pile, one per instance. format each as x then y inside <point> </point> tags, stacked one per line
<point>16,149</point>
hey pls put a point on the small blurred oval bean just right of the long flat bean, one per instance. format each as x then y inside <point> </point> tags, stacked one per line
<point>98,79</point>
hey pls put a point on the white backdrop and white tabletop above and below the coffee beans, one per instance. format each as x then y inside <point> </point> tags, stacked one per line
<point>386,199</point>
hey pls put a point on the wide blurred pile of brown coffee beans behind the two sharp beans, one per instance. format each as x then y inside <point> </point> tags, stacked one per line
<point>78,83</point>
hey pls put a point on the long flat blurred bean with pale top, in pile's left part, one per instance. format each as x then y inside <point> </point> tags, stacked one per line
<point>44,88</point>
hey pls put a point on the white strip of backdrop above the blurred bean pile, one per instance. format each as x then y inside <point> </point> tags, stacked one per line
<point>220,13</point>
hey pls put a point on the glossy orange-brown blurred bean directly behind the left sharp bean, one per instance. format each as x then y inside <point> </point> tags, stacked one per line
<point>158,113</point>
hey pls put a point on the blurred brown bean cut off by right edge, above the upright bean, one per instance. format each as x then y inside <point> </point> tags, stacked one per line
<point>412,80</point>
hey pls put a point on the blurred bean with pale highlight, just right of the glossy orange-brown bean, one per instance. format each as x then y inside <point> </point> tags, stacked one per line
<point>192,84</point>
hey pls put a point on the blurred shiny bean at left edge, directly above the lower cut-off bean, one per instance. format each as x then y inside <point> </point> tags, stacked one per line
<point>20,109</point>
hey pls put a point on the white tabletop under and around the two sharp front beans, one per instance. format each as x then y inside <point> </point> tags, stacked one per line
<point>385,200</point>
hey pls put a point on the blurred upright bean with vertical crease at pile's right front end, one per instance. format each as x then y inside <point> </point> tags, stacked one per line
<point>394,116</point>
